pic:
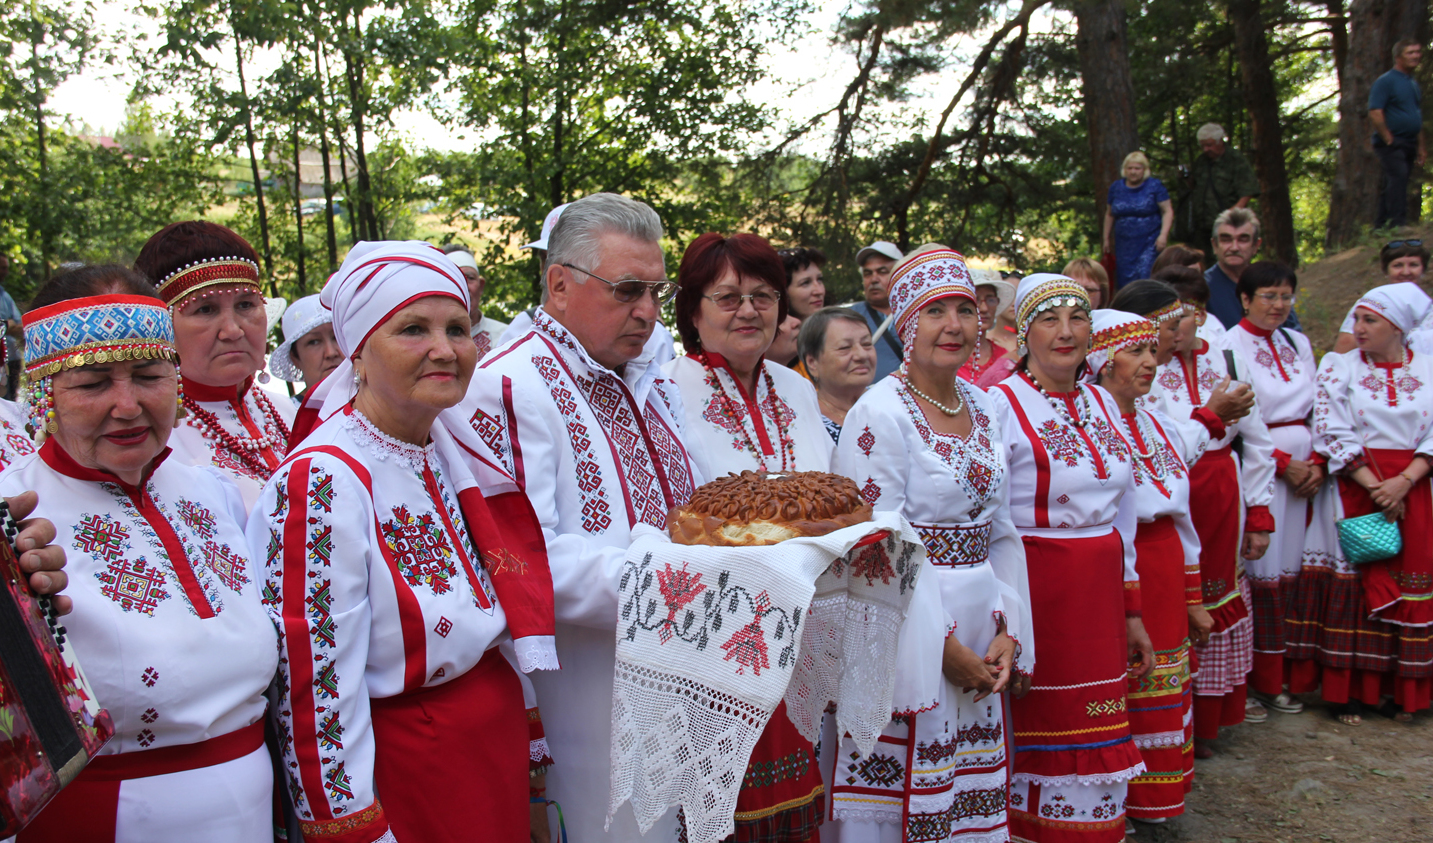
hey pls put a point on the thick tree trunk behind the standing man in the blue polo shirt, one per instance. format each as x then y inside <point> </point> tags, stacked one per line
<point>1374,28</point>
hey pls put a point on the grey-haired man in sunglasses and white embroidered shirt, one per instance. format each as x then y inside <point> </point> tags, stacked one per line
<point>597,449</point>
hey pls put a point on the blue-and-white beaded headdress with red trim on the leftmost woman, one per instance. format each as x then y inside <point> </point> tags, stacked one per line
<point>84,332</point>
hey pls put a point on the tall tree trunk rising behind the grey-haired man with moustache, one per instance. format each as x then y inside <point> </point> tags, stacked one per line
<point>1262,104</point>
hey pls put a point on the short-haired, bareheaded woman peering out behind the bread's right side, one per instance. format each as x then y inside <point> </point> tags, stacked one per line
<point>839,356</point>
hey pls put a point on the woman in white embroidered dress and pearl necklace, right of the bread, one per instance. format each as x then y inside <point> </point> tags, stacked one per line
<point>925,444</point>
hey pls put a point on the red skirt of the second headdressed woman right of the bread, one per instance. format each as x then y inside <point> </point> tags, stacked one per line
<point>1074,720</point>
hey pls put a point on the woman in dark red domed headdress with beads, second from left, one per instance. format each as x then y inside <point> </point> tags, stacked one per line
<point>210,279</point>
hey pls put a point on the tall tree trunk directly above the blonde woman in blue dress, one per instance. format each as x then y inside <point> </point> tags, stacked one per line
<point>1110,95</point>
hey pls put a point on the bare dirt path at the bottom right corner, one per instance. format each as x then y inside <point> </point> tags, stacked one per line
<point>1308,778</point>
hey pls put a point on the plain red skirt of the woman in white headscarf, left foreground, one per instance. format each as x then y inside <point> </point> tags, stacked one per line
<point>452,762</point>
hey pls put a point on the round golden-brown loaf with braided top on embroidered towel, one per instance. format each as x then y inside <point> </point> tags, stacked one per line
<point>754,510</point>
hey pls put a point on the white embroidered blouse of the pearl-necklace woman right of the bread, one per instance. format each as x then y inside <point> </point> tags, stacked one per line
<point>957,494</point>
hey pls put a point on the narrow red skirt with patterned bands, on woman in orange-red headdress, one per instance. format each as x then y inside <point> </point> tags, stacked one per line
<point>1159,703</point>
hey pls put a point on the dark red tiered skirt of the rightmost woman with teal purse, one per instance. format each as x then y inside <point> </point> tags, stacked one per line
<point>1369,633</point>
